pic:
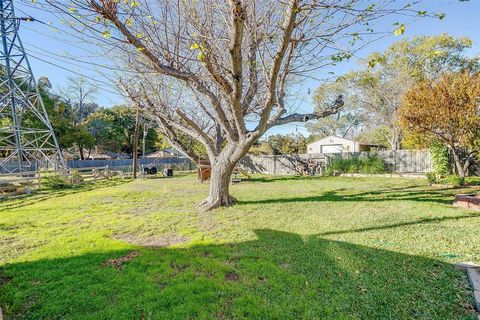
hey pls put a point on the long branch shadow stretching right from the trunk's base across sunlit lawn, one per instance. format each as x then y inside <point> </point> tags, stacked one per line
<point>391,194</point>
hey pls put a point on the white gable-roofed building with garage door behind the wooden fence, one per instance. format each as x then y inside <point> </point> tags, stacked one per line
<point>334,144</point>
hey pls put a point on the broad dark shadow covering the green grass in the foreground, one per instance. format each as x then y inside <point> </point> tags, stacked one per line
<point>279,276</point>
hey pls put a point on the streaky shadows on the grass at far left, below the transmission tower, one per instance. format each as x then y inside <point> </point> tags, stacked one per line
<point>43,195</point>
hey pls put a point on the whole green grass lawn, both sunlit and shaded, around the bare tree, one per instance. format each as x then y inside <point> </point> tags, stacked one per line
<point>292,248</point>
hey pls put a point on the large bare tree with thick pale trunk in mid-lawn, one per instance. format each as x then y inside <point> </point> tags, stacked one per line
<point>222,72</point>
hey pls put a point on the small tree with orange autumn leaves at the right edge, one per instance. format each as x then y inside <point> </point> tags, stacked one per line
<point>446,110</point>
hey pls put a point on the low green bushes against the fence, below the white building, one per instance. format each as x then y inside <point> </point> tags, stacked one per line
<point>369,165</point>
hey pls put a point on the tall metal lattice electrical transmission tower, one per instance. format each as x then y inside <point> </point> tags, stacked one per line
<point>27,139</point>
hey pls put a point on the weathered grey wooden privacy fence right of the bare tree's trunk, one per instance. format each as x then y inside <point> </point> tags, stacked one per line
<point>400,161</point>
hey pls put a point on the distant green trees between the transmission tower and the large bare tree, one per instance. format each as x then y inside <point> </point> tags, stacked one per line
<point>82,126</point>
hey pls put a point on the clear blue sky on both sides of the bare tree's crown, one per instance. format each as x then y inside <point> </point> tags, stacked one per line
<point>45,45</point>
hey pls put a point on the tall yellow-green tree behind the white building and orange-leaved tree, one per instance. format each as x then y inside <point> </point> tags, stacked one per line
<point>374,93</point>
